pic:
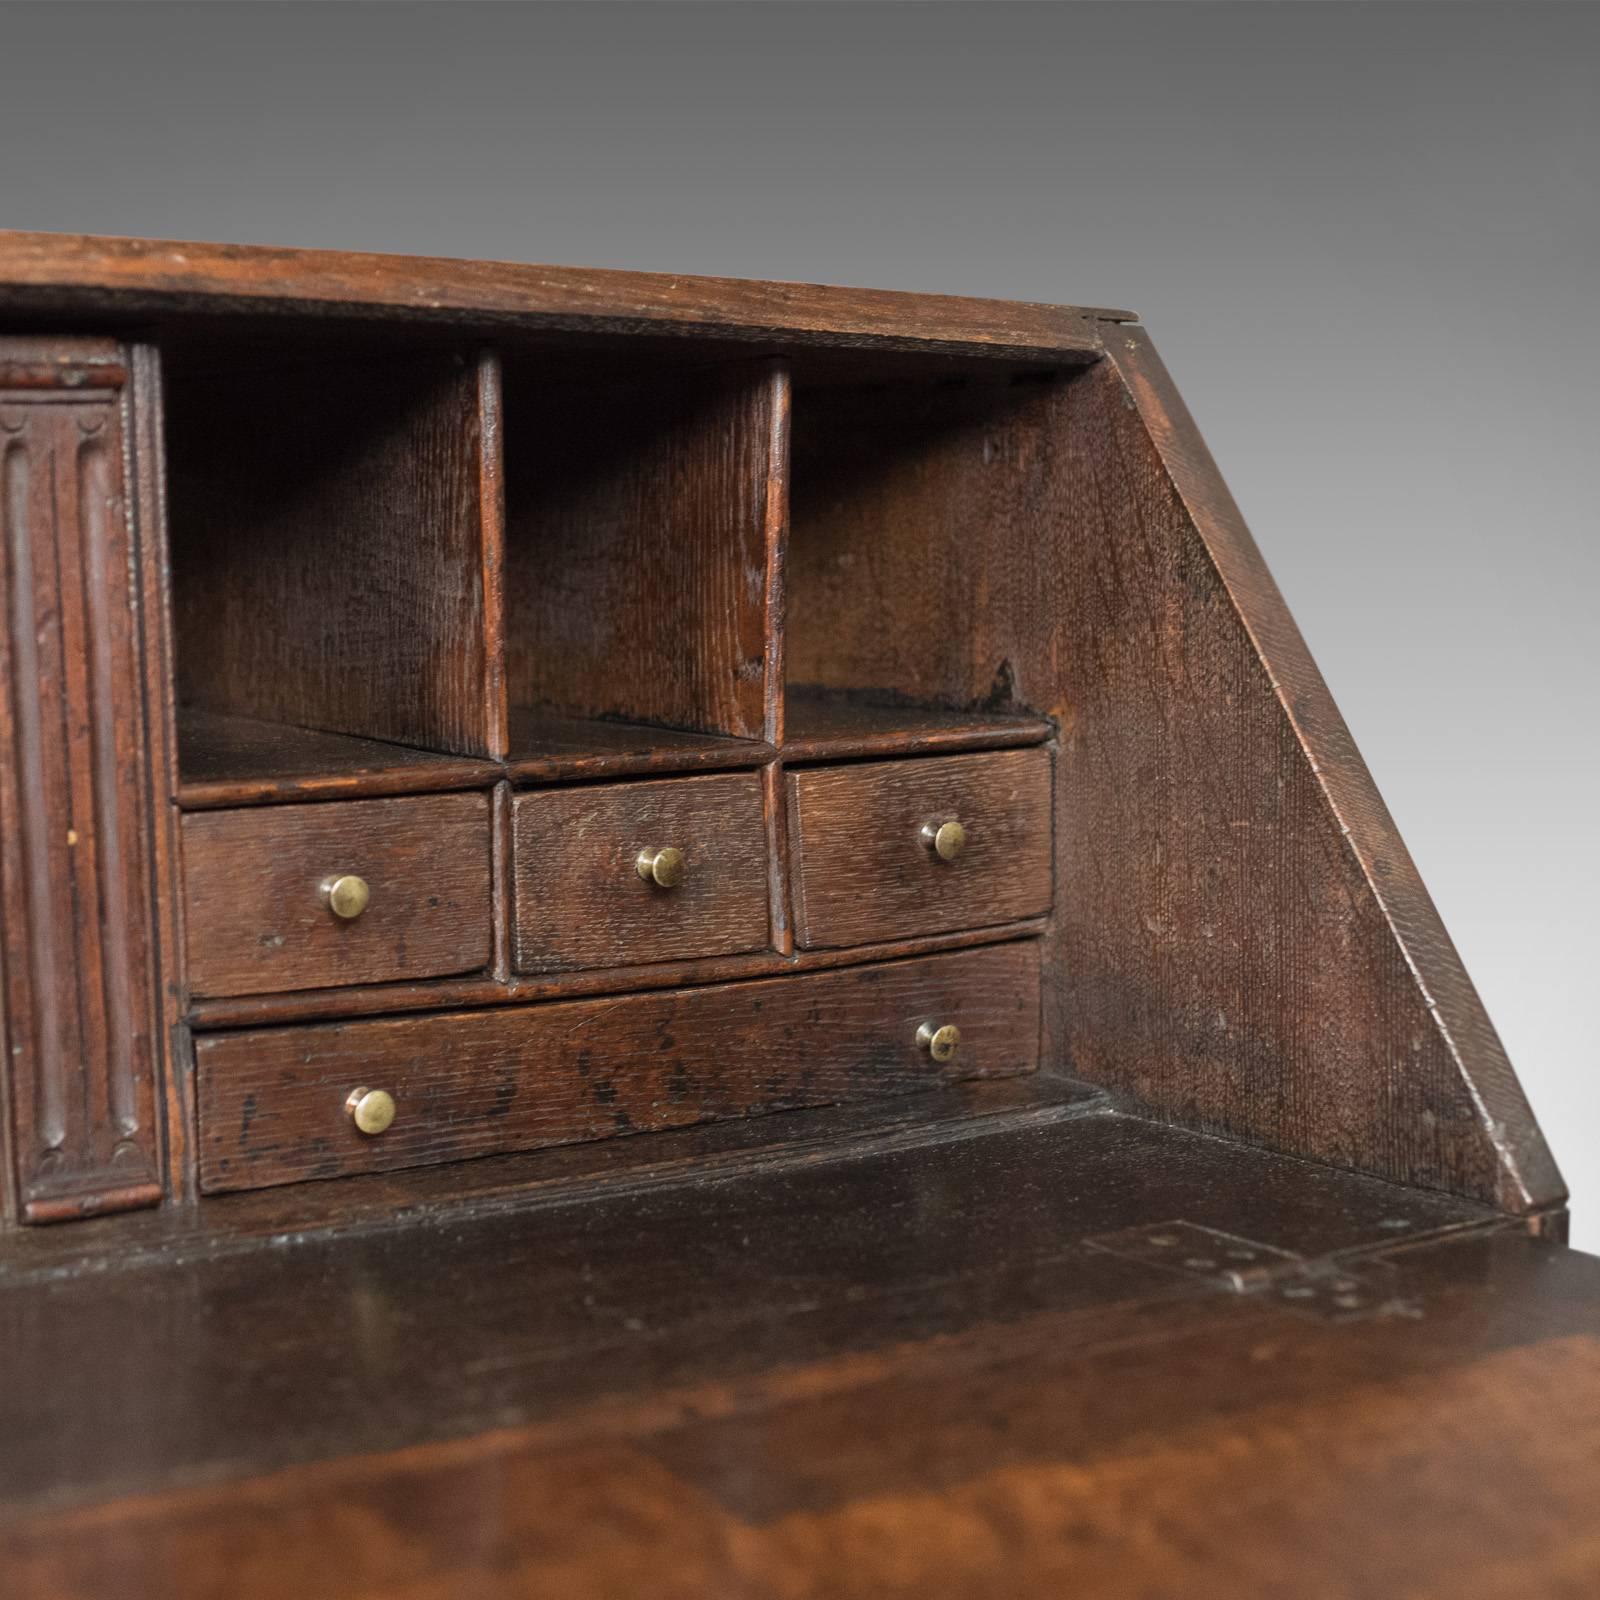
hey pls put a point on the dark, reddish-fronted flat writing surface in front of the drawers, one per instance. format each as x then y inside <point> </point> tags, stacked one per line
<point>796,1383</point>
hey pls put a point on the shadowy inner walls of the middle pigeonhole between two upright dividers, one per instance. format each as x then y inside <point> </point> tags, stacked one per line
<point>638,548</point>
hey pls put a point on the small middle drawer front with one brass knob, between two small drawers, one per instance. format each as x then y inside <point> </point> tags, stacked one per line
<point>583,902</point>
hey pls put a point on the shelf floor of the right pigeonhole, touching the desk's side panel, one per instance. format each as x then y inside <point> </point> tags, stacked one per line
<point>826,727</point>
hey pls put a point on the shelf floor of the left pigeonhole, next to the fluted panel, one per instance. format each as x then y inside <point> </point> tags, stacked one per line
<point>236,761</point>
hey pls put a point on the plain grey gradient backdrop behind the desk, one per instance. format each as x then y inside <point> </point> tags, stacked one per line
<point>1366,239</point>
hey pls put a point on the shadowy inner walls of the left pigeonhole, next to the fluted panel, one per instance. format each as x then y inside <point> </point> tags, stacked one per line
<point>330,548</point>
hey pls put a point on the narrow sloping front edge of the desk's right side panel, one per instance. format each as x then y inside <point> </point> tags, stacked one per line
<point>1529,1177</point>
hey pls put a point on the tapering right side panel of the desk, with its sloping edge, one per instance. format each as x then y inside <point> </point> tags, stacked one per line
<point>1246,945</point>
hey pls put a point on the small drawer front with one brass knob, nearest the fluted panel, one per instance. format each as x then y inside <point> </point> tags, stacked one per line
<point>258,908</point>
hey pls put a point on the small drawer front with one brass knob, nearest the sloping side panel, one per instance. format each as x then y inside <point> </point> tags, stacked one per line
<point>863,852</point>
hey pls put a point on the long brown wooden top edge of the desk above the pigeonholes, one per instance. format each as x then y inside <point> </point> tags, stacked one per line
<point>89,273</point>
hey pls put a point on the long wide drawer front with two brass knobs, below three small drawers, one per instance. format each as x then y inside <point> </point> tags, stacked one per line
<point>274,1103</point>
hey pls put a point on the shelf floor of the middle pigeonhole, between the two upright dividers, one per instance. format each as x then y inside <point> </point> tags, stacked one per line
<point>551,748</point>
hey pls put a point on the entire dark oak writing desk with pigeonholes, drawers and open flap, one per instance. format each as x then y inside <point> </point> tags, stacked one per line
<point>681,937</point>
